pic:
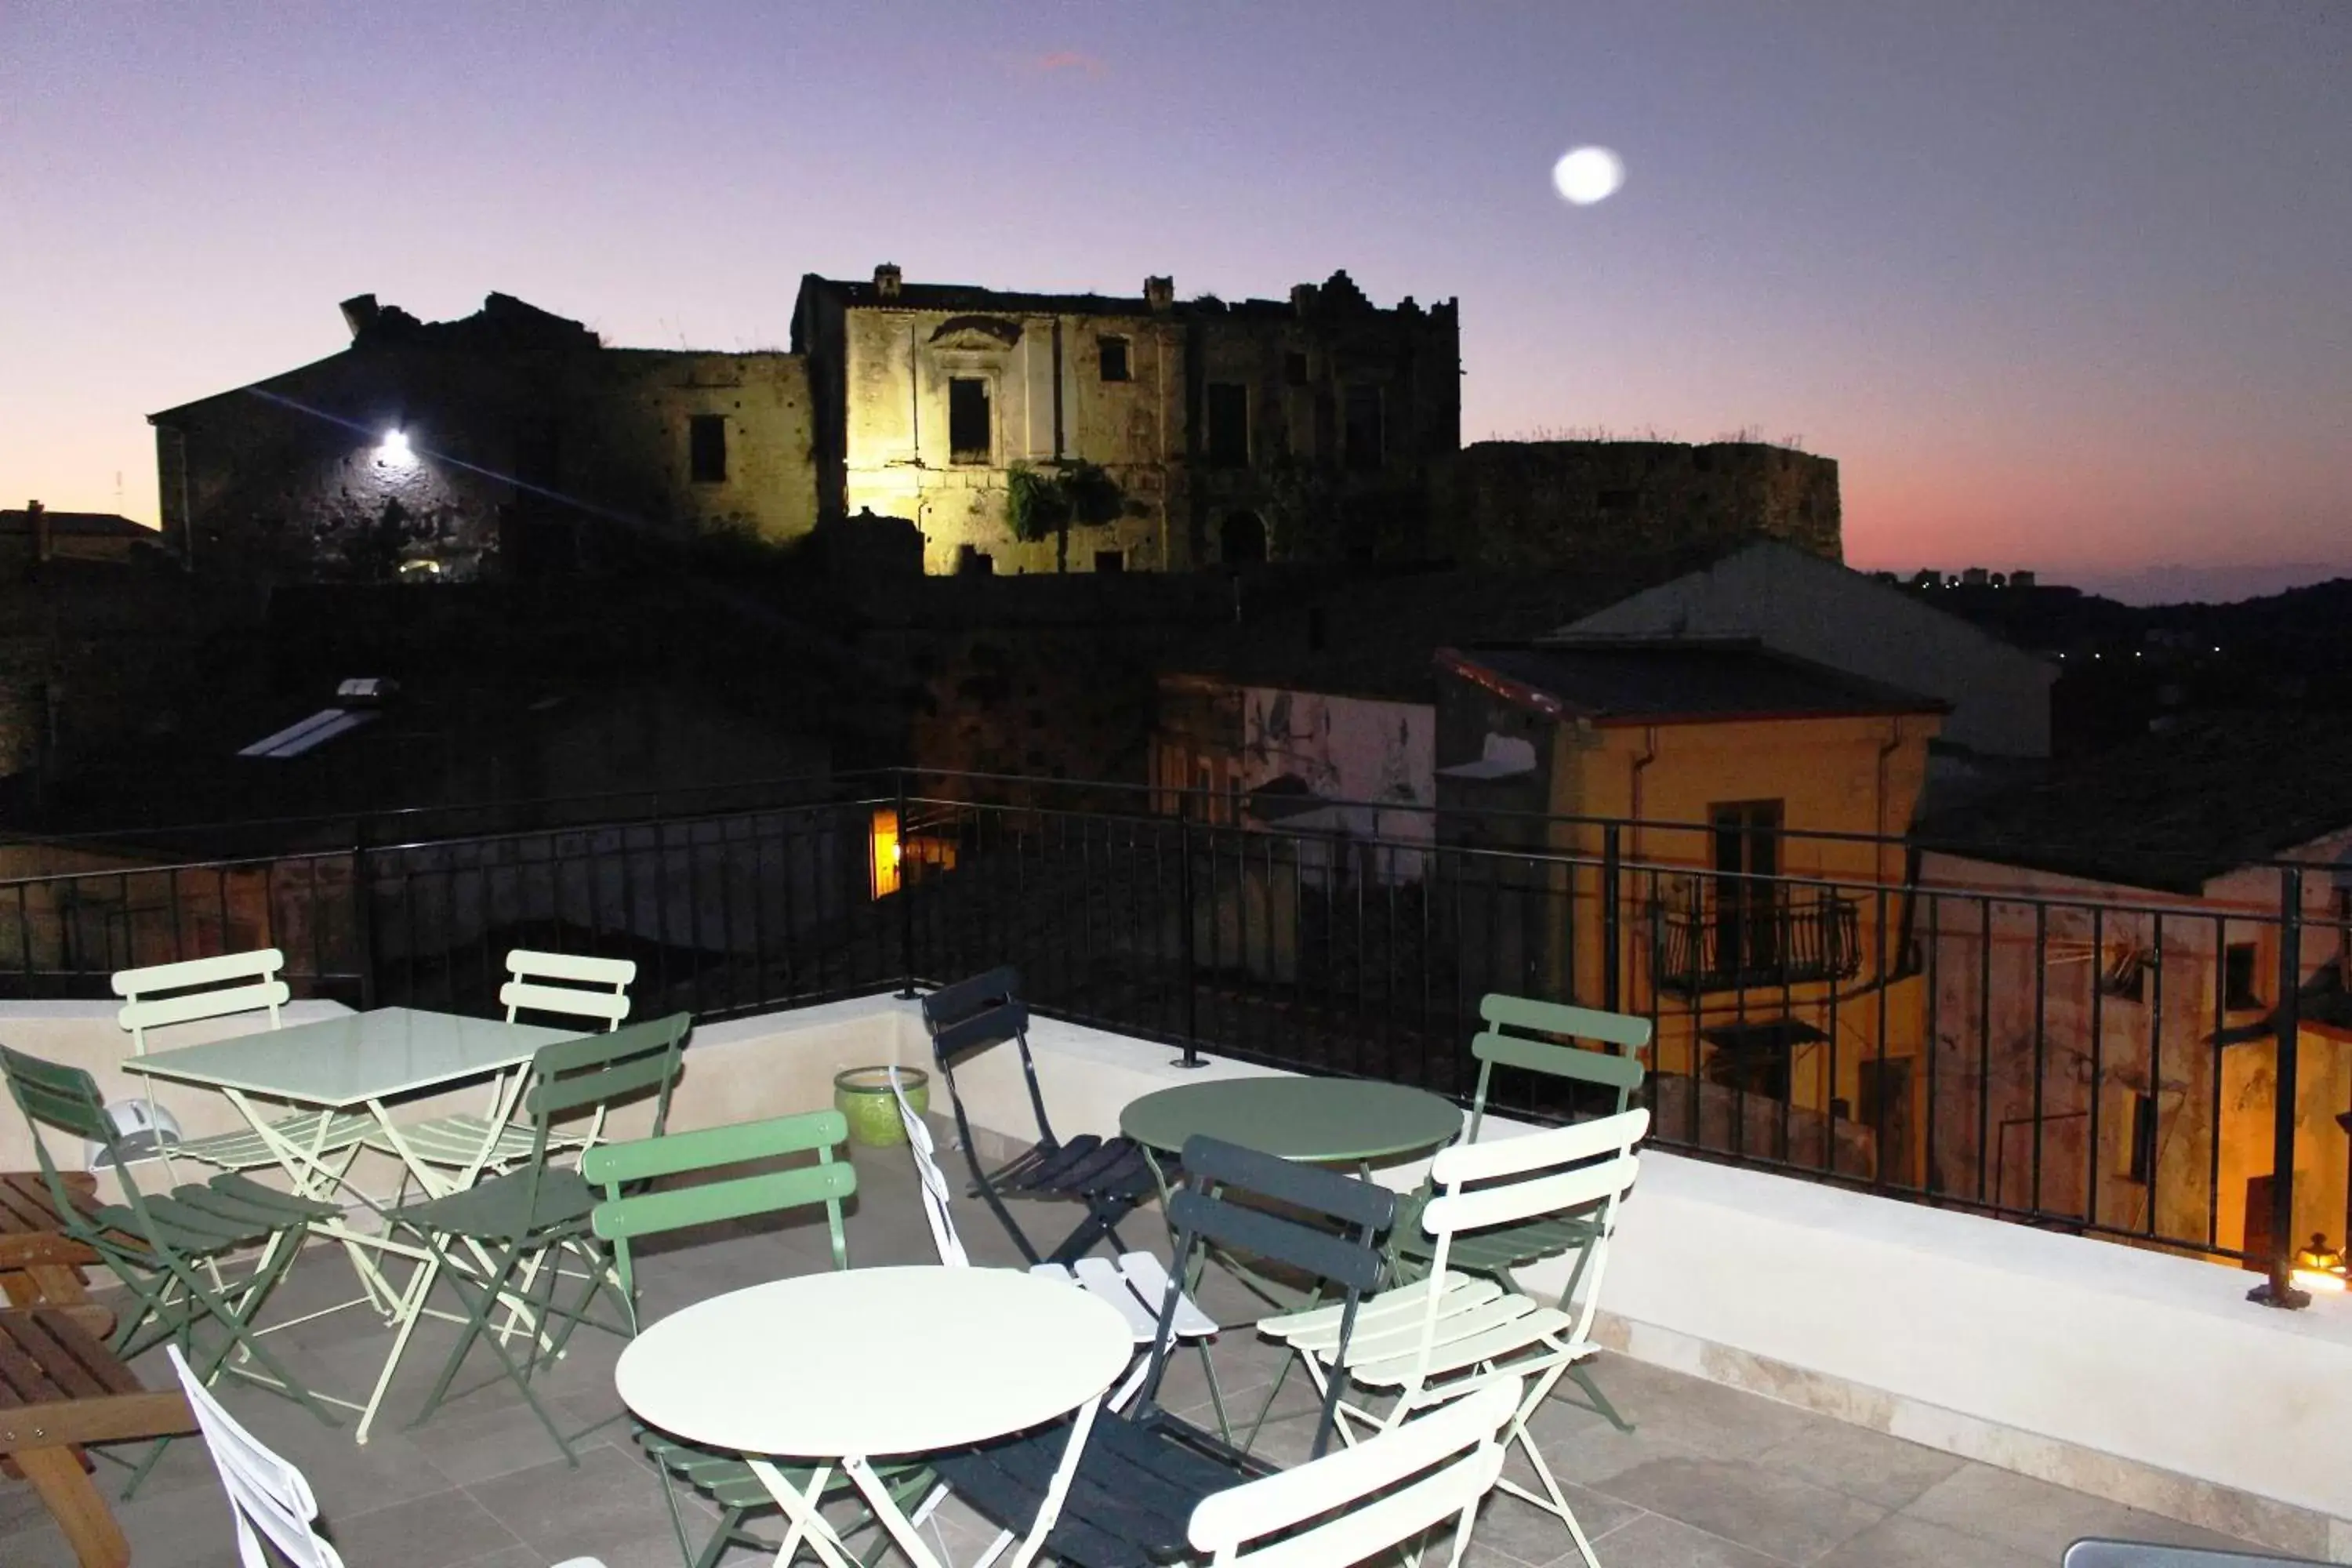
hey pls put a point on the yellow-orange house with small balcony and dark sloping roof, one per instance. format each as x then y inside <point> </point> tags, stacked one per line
<point>1723,852</point>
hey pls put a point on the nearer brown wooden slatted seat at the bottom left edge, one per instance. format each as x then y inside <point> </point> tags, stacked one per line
<point>60,1388</point>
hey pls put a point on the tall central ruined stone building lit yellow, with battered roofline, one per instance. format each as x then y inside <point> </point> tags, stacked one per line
<point>1234,434</point>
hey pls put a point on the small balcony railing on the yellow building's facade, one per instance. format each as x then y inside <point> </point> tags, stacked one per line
<point>1742,934</point>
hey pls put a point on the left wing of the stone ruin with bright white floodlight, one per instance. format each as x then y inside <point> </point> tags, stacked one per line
<point>434,450</point>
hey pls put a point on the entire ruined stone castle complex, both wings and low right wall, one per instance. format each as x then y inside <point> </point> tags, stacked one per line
<point>1017,434</point>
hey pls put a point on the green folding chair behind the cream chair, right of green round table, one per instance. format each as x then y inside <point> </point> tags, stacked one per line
<point>1516,1247</point>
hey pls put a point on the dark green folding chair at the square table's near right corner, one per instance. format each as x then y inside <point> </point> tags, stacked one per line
<point>493,1240</point>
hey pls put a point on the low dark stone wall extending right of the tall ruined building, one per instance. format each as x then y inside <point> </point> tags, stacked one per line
<point>1546,504</point>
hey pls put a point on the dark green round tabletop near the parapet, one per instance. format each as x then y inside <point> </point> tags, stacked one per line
<point>1311,1120</point>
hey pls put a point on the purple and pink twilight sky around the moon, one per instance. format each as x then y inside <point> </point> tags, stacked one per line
<point>2059,286</point>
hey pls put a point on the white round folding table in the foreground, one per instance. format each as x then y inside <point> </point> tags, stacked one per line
<point>862,1365</point>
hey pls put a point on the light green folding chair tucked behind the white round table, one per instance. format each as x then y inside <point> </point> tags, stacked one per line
<point>622,1221</point>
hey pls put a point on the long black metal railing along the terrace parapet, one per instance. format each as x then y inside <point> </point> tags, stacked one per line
<point>1902,1024</point>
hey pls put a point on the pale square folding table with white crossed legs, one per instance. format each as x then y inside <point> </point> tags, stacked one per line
<point>363,1061</point>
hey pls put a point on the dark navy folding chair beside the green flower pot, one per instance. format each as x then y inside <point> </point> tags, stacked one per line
<point>1111,1177</point>
